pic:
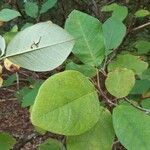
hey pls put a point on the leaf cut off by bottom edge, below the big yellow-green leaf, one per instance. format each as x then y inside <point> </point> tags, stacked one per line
<point>51,144</point>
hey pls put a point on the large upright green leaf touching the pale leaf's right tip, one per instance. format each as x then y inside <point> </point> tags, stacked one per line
<point>87,31</point>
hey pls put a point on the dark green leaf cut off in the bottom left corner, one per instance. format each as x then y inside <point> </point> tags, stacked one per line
<point>6,141</point>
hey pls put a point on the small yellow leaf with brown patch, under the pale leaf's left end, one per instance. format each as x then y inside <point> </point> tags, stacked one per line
<point>11,66</point>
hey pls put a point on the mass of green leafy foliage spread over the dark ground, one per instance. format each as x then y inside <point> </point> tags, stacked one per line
<point>99,81</point>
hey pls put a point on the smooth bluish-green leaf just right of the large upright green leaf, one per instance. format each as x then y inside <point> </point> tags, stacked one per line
<point>113,32</point>
